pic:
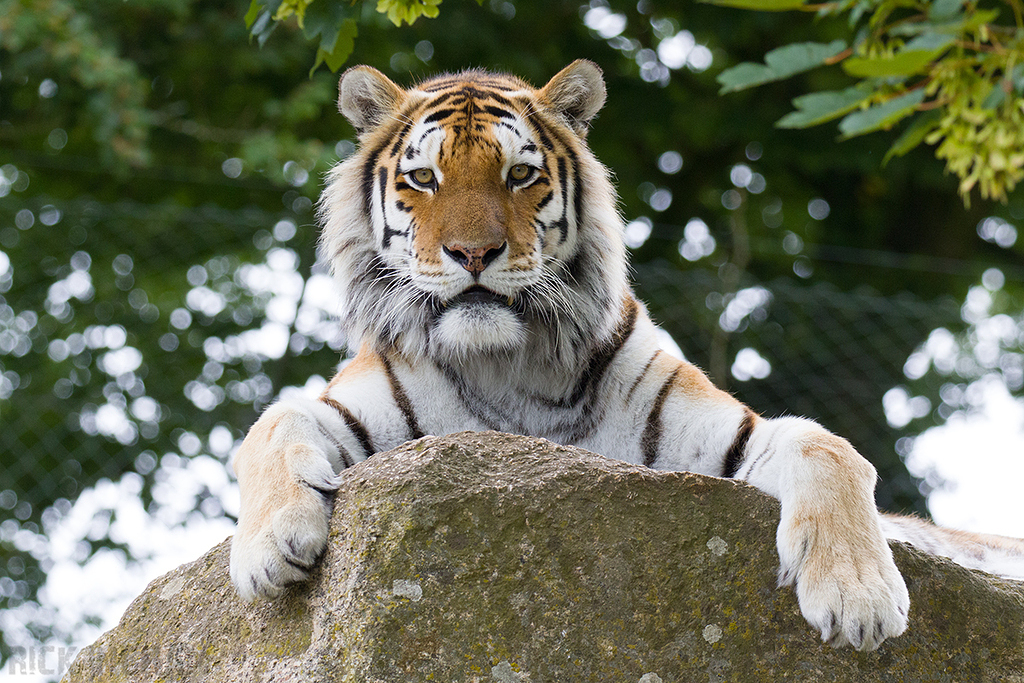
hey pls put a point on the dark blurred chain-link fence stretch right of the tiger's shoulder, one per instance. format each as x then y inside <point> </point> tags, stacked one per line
<point>808,350</point>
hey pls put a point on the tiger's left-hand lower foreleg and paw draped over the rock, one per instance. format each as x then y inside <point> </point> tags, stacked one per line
<point>287,469</point>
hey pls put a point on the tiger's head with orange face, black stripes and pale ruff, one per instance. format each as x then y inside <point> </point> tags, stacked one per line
<point>474,220</point>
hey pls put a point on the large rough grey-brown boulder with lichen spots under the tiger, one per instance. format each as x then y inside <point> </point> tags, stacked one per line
<point>494,559</point>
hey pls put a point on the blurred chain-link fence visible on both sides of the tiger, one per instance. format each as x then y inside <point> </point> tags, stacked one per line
<point>137,335</point>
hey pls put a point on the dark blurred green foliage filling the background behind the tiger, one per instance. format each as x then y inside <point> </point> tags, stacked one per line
<point>158,266</point>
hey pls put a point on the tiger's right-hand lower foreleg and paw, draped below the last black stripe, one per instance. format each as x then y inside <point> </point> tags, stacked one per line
<point>830,539</point>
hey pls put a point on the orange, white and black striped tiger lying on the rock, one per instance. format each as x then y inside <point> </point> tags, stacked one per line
<point>480,261</point>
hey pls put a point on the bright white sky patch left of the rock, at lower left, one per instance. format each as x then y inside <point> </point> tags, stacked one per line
<point>105,585</point>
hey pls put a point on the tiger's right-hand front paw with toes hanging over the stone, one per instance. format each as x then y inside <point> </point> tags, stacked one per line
<point>847,584</point>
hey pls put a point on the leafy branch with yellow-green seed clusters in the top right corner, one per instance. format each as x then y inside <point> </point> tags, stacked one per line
<point>956,67</point>
